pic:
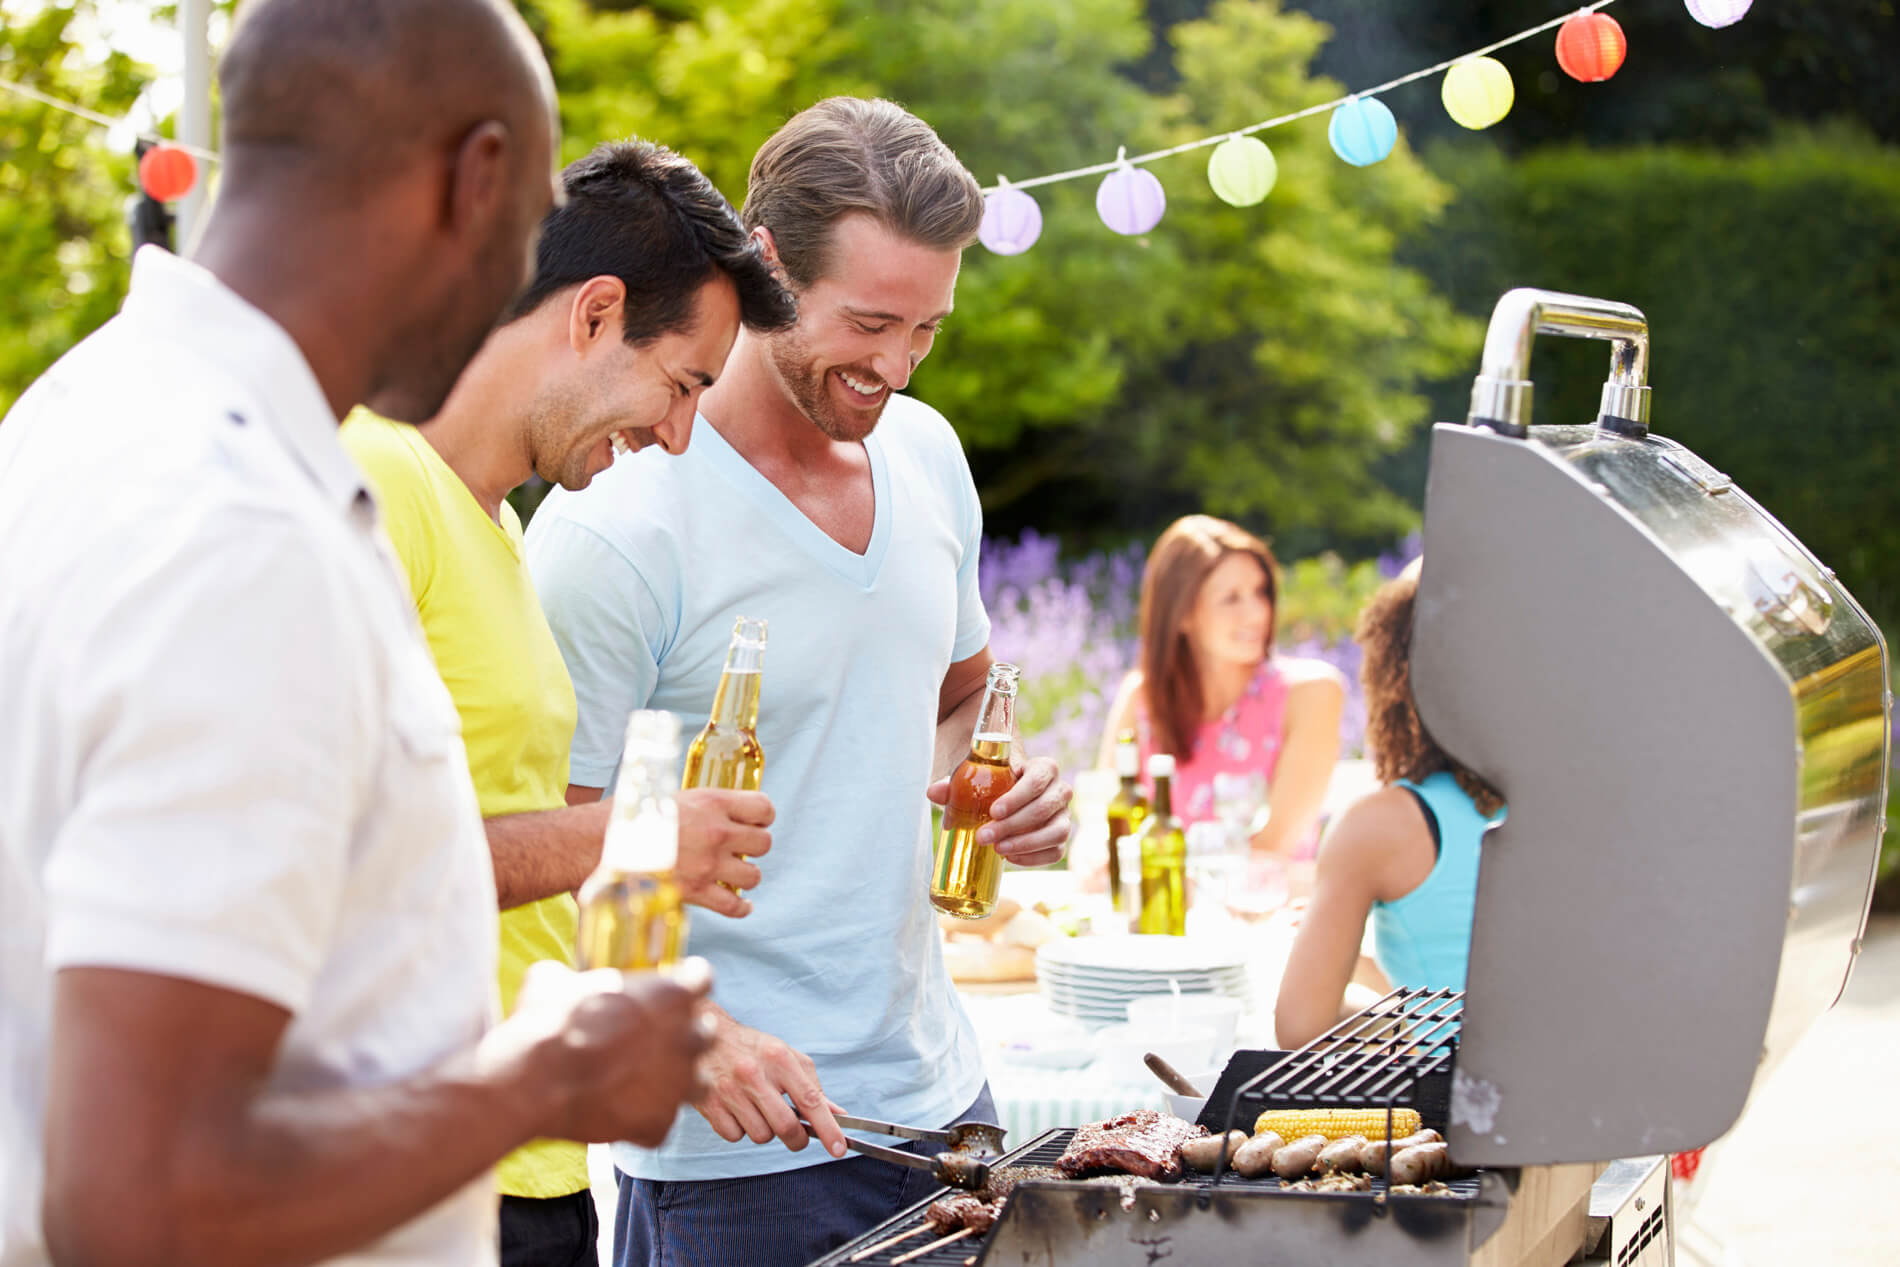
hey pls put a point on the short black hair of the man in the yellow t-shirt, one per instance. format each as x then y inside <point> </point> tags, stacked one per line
<point>647,216</point>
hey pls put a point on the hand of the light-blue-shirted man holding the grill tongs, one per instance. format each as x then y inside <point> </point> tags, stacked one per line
<point>748,1078</point>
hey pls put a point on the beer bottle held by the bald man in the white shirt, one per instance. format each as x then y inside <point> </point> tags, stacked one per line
<point>632,911</point>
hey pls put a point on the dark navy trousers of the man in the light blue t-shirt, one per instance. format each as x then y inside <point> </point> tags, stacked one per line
<point>769,1220</point>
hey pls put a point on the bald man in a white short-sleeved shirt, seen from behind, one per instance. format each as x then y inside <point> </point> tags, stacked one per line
<point>246,901</point>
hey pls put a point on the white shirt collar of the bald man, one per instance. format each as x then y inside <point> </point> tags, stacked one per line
<point>185,301</point>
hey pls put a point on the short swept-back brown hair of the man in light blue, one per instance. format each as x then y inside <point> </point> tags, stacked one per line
<point>856,155</point>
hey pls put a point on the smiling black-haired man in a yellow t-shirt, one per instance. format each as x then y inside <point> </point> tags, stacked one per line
<point>643,280</point>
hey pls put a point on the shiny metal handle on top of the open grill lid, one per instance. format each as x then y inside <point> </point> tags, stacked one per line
<point>1502,394</point>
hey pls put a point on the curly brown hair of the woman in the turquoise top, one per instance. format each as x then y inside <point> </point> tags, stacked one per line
<point>1399,744</point>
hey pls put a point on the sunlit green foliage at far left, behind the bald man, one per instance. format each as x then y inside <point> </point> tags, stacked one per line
<point>64,238</point>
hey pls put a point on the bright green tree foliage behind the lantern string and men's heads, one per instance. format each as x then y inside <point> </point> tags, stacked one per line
<point>1251,362</point>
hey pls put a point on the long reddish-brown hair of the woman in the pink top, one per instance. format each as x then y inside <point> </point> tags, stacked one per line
<point>1171,582</point>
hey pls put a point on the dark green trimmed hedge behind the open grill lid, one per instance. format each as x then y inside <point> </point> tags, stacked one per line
<point>1772,282</point>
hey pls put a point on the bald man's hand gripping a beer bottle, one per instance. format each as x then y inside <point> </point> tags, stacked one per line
<point>617,1053</point>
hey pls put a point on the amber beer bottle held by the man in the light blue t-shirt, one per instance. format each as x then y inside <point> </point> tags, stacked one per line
<point>968,873</point>
